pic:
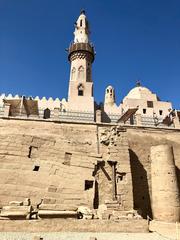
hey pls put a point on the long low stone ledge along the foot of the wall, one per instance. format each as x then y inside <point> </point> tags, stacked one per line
<point>71,225</point>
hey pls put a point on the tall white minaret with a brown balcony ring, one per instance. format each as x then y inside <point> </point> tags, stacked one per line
<point>81,56</point>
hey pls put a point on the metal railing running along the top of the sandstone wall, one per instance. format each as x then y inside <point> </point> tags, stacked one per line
<point>79,116</point>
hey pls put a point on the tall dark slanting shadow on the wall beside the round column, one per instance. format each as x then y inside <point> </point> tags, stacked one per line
<point>141,194</point>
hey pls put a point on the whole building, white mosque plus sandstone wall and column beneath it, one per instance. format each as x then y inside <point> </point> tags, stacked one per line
<point>74,157</point>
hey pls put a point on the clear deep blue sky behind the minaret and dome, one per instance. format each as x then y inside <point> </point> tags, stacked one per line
<point>134,39</point>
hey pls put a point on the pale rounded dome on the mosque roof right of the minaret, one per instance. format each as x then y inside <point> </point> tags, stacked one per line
<point>140,92</point>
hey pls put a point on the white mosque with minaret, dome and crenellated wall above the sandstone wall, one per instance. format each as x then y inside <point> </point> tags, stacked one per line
<point>140,104</point>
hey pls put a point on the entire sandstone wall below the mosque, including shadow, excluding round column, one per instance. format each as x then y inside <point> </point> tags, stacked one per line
<point>57,162</point>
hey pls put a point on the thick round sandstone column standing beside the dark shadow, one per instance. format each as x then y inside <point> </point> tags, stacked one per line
<point>165,192</point>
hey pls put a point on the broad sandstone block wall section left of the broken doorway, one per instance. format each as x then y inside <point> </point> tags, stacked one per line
<point>46,161</point>
